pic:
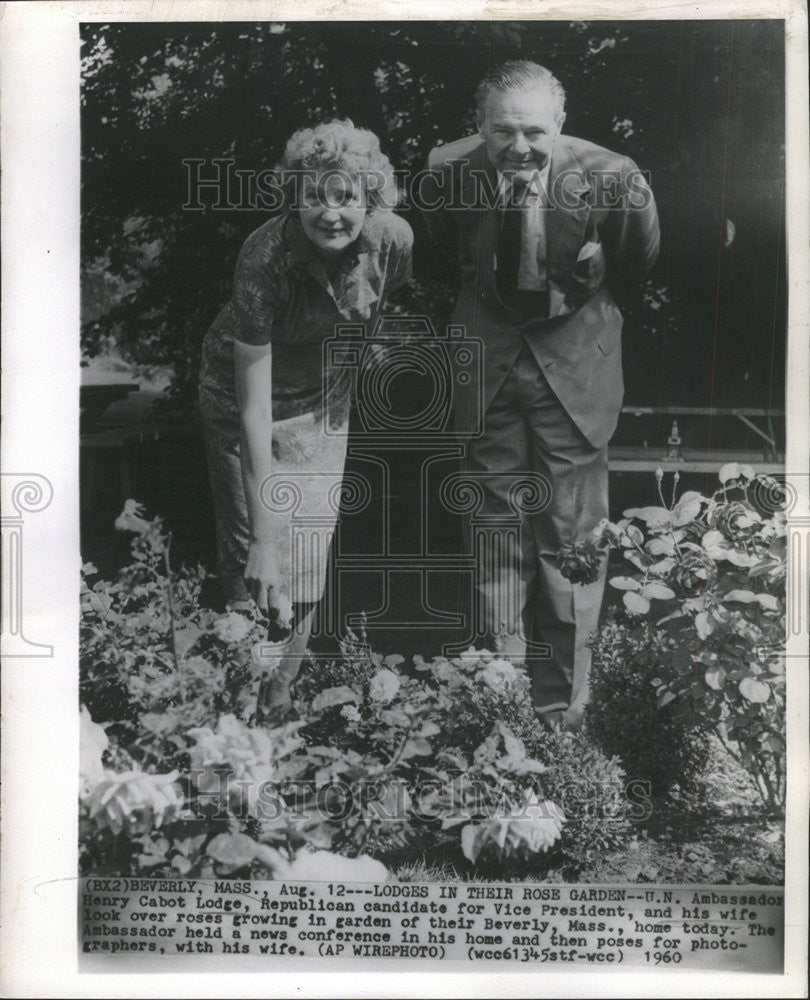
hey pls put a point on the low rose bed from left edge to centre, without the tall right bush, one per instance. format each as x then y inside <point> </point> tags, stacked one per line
<point>387,760</point>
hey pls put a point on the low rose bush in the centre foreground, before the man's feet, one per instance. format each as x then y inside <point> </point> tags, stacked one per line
<point>493,764</point>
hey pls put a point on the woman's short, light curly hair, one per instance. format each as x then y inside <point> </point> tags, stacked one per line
<point>340,146</point>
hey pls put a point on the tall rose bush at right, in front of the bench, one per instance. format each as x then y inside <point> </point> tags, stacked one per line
<point>702,619</point>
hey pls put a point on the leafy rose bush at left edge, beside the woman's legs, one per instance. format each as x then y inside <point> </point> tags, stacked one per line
<point>151,659</point>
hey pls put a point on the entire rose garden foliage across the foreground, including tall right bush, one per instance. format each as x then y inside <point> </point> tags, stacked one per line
<point>389,762</point>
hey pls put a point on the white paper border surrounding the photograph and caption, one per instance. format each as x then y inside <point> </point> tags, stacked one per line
<point>40,310</point>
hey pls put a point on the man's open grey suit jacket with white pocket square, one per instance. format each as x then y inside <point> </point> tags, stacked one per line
<point>602,232</point>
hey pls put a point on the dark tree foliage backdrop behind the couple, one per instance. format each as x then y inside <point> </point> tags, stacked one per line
<point>697,103</point>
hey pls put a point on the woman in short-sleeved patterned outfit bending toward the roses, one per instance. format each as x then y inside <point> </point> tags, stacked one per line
<point>275,414</point>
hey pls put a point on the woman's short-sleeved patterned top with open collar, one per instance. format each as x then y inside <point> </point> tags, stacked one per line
<point>283,296</point>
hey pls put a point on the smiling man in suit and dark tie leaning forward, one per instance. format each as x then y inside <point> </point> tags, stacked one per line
<point>549,230</point>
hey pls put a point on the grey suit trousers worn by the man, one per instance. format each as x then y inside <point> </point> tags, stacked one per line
<point>535,615</point>
